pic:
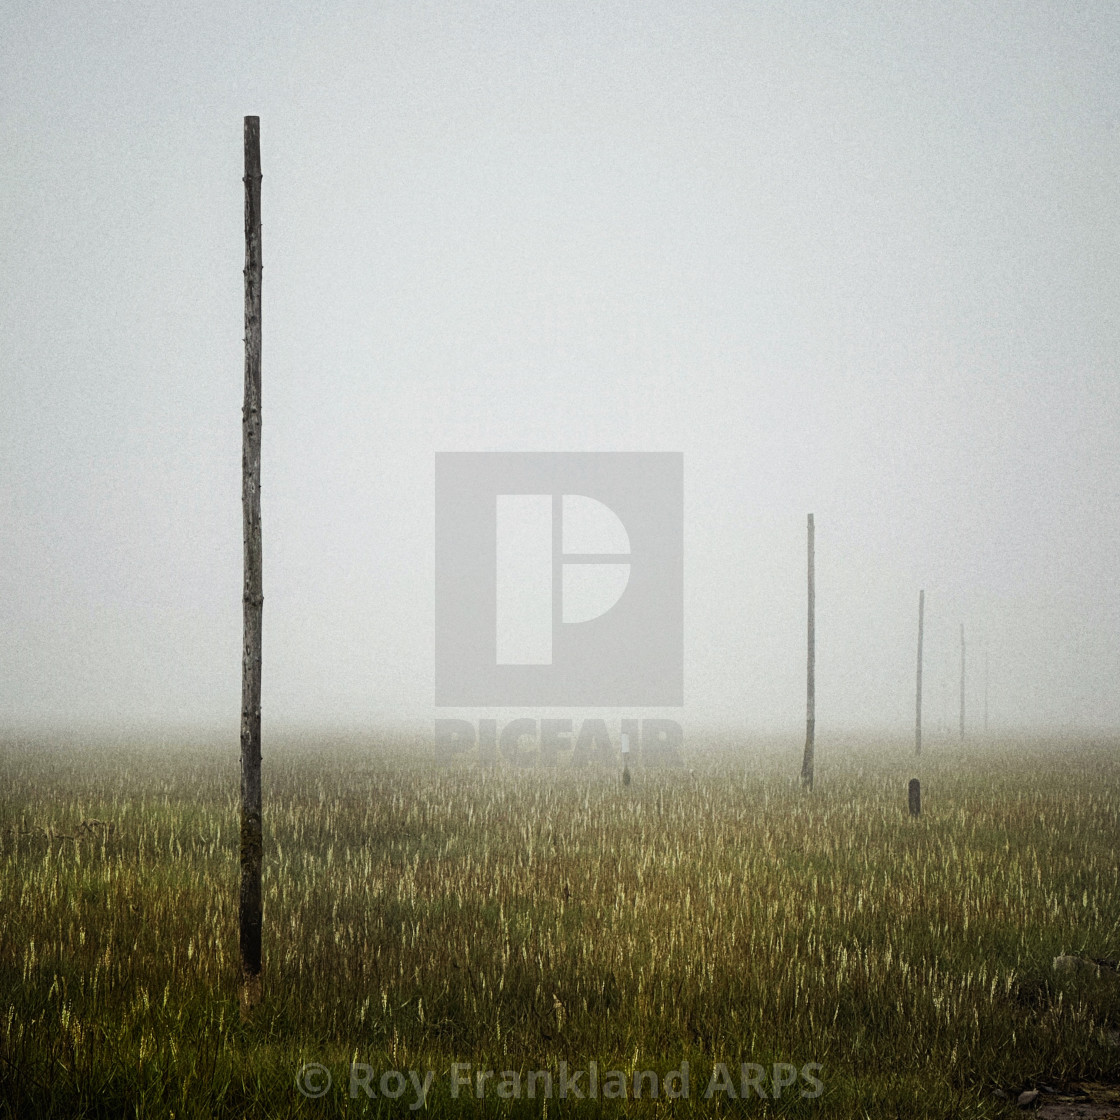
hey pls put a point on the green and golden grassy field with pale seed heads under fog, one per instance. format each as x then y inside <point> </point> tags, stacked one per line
<point>418,917</point>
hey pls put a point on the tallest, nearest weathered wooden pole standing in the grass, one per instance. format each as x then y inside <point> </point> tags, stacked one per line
<point>254,596</point>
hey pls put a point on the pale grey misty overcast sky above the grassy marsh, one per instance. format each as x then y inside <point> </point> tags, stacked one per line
<point>851,258</point>
